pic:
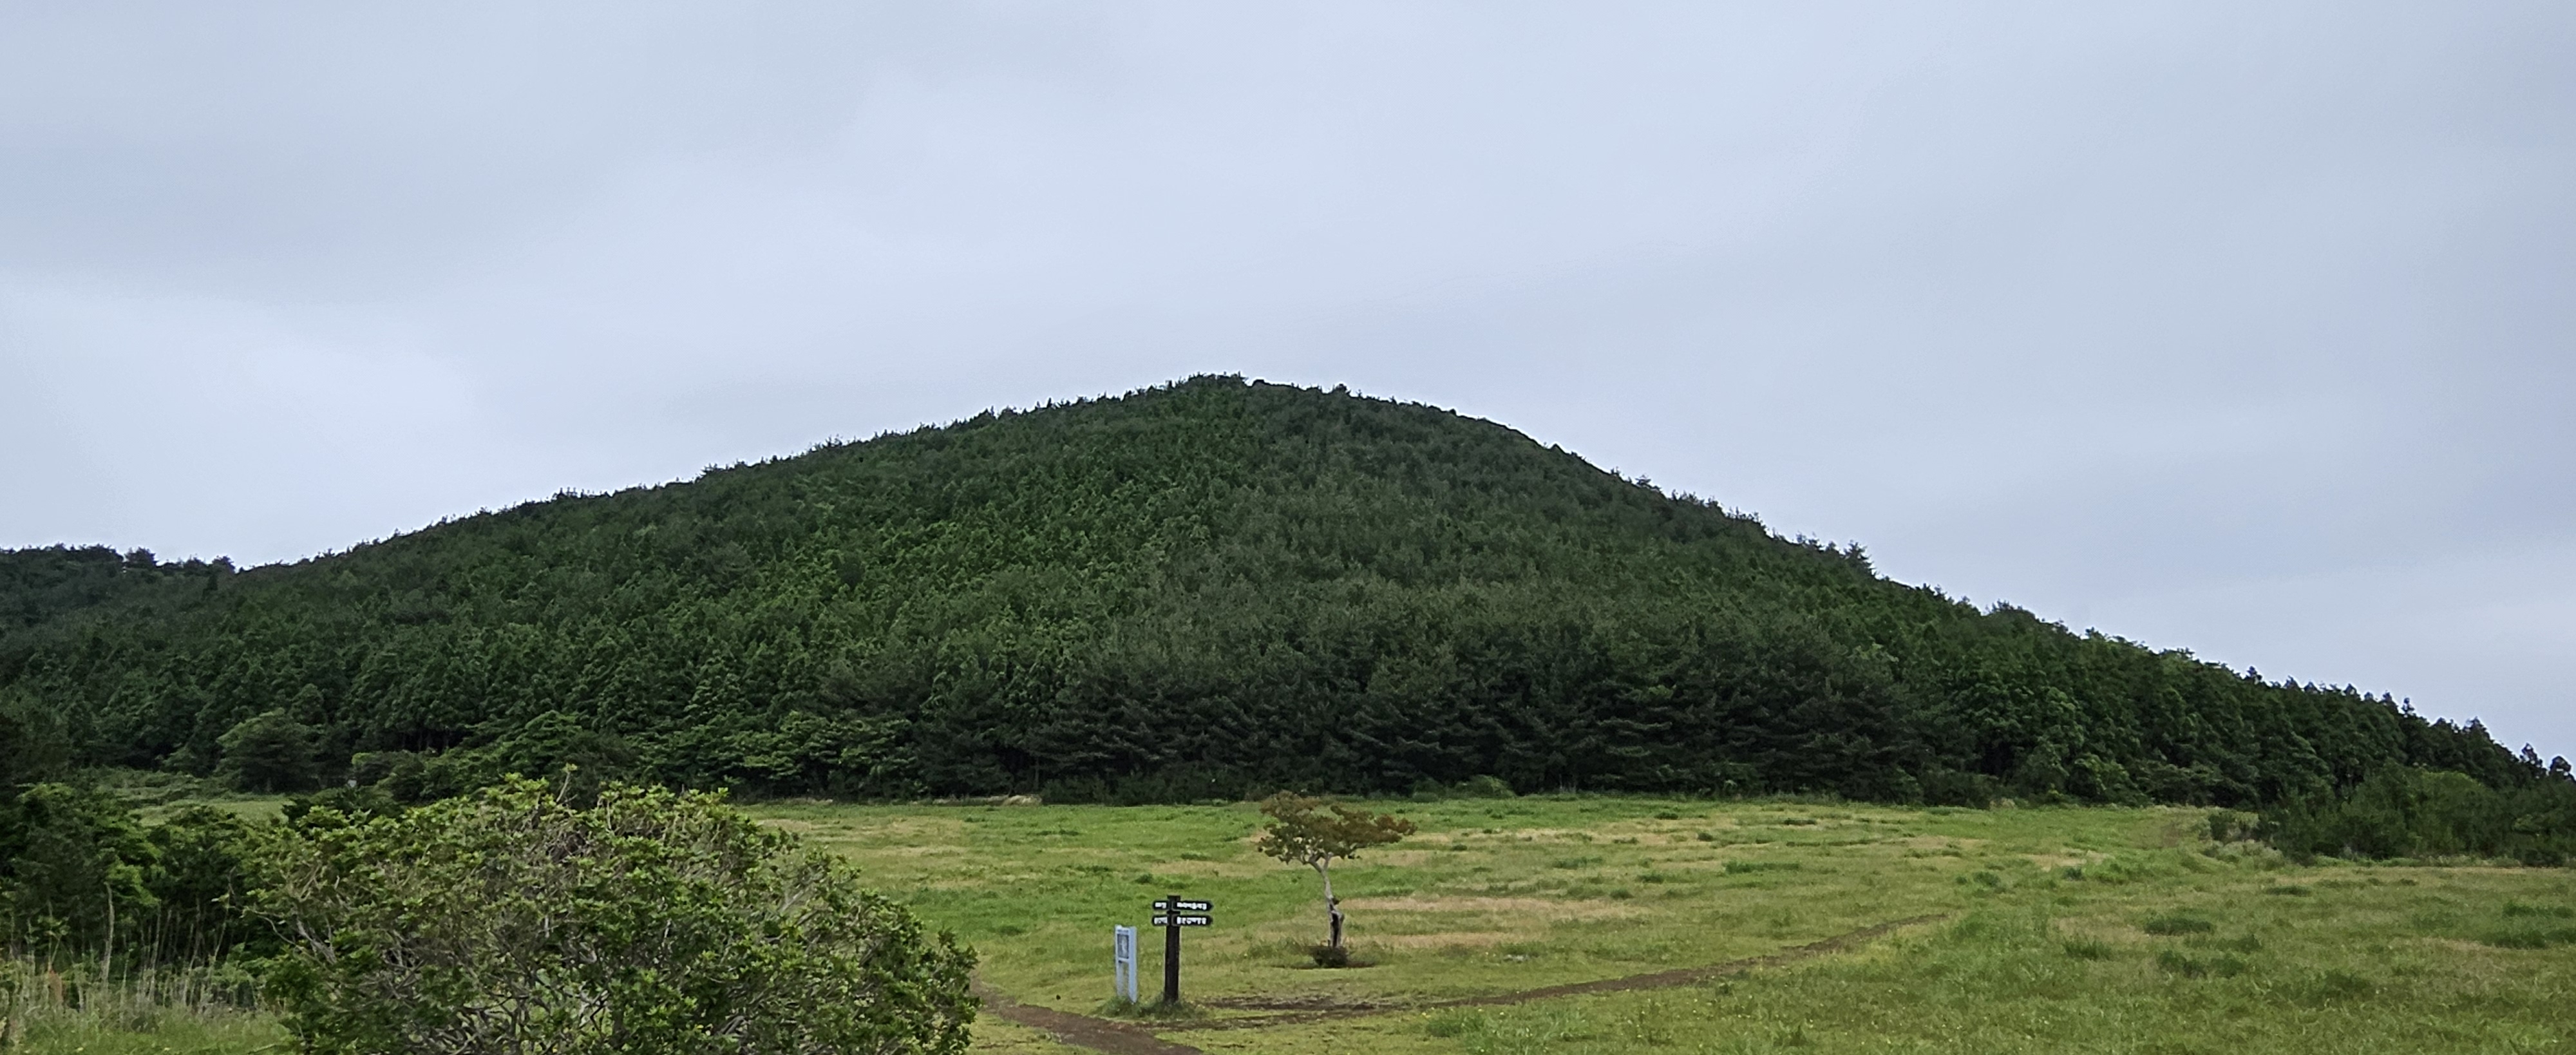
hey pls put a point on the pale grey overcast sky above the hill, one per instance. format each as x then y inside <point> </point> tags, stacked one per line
<point>2232,328</point>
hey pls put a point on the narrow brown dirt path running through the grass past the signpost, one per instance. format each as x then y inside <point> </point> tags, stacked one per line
<point>1122,1038</point>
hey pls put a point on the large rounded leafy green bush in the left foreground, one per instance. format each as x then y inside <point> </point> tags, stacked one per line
<point>656,922</point>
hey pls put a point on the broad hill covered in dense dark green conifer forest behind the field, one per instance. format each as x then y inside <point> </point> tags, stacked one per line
<point>1191,591</point>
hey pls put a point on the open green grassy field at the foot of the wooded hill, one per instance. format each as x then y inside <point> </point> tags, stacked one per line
<point>2041,930</point>
